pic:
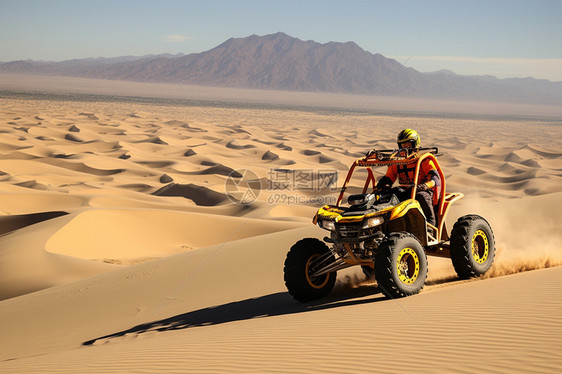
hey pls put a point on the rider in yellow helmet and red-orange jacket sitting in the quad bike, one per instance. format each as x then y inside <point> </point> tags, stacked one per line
<point>428,182</point>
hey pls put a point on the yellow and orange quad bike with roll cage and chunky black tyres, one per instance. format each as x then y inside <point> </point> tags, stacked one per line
<point>388,238</point>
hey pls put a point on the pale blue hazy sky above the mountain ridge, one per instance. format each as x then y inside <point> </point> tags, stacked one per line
<point>505,38</point>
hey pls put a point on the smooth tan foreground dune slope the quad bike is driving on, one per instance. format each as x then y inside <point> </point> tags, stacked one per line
<point>198,330</point>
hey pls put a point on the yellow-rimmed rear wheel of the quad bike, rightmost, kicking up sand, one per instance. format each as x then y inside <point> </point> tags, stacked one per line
<point>472,246</point>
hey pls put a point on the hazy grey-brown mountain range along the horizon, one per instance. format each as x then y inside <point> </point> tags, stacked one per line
<point>281,62</point>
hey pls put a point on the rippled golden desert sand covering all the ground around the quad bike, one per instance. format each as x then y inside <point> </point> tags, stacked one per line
<point>121,250</point>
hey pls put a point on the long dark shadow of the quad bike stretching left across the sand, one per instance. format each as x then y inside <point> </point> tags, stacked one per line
<point>266,306</point>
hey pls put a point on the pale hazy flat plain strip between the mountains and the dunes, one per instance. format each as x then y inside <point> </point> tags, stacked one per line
<point>185,94</point>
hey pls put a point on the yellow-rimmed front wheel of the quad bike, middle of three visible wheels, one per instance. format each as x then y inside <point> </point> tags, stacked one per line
<point>400,265</point>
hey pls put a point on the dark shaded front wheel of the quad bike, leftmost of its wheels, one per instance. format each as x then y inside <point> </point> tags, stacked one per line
<point>303,260</point>
